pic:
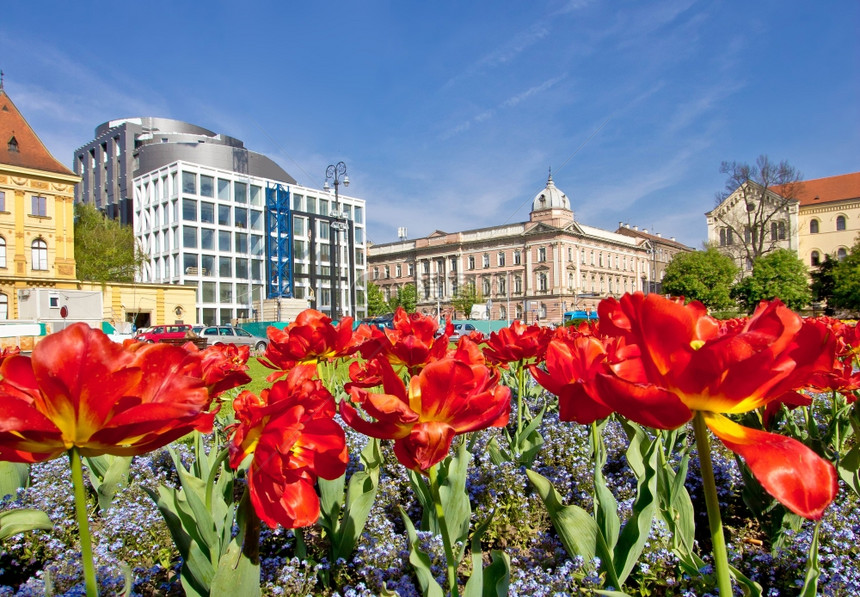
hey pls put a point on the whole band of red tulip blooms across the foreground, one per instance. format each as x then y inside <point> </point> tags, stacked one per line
<point>653,361</point>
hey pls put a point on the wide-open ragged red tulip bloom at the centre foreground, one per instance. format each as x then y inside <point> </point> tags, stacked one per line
<point>448,397</point>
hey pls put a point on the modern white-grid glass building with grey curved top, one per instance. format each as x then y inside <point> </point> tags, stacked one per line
<point>225,220</point>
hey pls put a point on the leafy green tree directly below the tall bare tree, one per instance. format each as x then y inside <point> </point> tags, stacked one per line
<point>780,274</point>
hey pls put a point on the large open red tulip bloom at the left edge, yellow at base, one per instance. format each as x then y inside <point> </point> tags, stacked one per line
<point>81,390</point>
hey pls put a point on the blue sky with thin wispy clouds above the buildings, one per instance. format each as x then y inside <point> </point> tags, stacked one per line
<point>449,114</point>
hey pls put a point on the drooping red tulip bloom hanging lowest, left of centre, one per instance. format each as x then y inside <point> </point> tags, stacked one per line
<point>294,440</point>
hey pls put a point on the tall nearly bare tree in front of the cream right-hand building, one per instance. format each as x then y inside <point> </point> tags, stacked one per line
<point>757,220</point>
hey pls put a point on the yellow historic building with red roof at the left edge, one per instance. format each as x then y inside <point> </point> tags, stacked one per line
<point>37,246</point>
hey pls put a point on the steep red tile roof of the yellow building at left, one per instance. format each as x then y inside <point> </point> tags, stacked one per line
<point>31,152</point>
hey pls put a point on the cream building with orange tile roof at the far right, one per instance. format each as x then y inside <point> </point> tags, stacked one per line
<point>813,218</point>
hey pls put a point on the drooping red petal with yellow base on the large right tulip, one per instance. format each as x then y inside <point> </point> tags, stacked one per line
<point>797,477</point>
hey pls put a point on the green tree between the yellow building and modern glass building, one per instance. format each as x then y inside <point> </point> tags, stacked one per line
<point>105,250</point>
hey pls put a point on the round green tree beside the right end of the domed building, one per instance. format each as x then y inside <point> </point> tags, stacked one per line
<point>705,276</point>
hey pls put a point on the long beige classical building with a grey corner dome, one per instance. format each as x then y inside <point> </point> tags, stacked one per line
<point>531,271</point>
